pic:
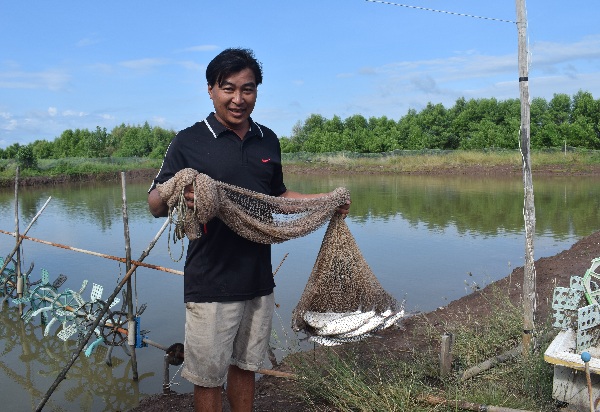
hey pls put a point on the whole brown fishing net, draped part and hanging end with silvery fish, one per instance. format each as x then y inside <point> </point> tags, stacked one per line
<point>343,301</point>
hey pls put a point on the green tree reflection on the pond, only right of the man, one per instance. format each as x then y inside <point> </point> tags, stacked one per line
<point>564,206</point>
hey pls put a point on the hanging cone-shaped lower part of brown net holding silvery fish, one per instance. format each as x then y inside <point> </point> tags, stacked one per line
<point>343,301</point>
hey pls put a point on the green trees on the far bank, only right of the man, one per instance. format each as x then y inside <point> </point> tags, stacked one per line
<point>475,124</point>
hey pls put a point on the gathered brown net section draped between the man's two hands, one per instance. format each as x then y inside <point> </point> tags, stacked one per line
<point>254,216</point>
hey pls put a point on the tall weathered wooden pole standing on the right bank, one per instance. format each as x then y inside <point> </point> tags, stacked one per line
<point>529,293</point>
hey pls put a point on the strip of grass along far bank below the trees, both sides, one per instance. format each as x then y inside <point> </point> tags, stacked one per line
<point>394,162</point>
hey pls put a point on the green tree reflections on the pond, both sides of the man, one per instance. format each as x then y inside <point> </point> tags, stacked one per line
<point>564,206</point>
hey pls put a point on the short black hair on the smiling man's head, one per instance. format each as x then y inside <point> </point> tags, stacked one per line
<point>230,61</point>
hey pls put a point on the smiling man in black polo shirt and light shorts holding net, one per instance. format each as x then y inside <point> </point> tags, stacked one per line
<point>228,281</point>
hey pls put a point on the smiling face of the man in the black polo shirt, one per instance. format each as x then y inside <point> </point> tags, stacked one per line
<point>234,99</point>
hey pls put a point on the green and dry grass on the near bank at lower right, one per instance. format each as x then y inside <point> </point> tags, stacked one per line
<point>336,380</point>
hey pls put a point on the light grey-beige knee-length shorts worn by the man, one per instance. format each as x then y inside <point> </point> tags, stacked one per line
<point>219,334</point>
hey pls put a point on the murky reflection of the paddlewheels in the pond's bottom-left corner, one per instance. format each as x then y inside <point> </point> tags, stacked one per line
<point>32,362</point>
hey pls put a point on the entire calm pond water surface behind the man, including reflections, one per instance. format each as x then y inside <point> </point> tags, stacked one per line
<point>428,239</point>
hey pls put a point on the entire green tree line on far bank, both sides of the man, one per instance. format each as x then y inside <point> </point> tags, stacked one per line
<point>468,125</point>
